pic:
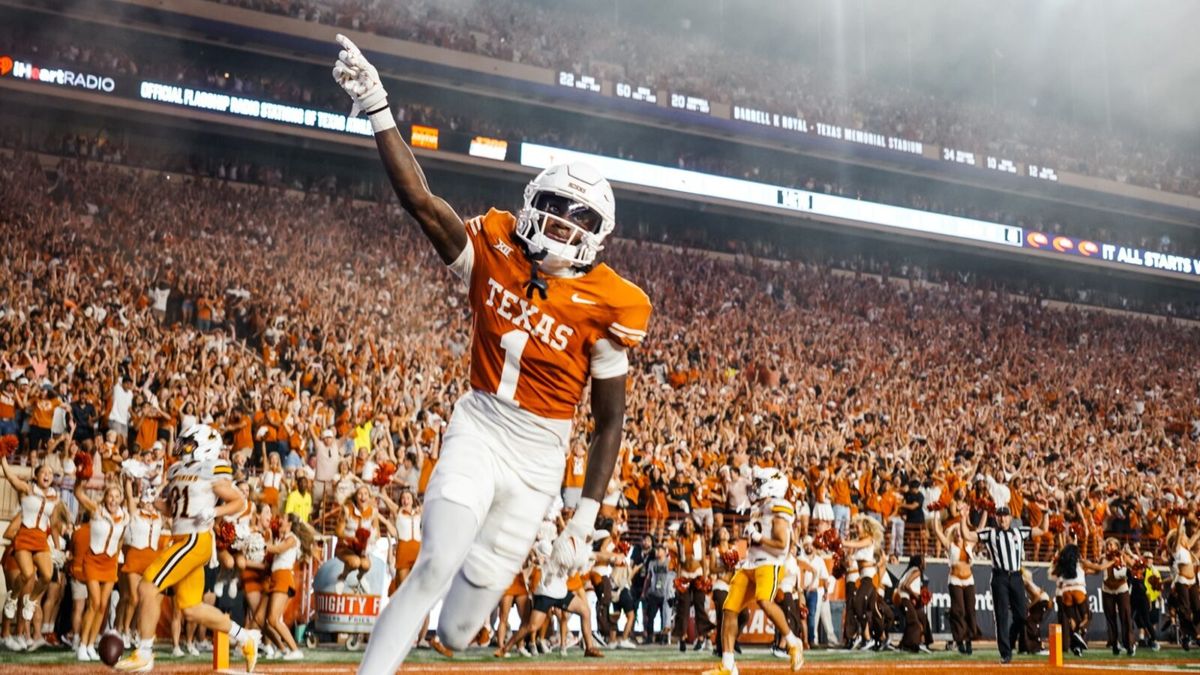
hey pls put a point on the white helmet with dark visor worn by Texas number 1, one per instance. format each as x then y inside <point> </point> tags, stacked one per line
<point>568,213</point>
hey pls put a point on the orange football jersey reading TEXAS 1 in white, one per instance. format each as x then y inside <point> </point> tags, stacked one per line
<point>532,353</point>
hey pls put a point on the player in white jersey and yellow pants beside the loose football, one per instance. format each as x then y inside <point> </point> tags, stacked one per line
<point>200,491</point>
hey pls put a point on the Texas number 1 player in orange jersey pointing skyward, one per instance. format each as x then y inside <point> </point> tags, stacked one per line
<point>548,318</point>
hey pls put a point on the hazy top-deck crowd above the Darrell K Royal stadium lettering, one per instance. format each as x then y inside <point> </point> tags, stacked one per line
<point>556,38</point>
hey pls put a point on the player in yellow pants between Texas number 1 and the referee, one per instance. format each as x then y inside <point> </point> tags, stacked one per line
<point>758,578</point>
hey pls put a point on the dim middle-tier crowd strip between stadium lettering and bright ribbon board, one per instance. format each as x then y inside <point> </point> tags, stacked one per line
<point>286,82</point>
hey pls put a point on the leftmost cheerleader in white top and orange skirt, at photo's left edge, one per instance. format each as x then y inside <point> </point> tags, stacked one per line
<point>40,511</point>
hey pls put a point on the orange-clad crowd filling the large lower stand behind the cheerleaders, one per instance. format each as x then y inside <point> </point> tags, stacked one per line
<point>321,337</point>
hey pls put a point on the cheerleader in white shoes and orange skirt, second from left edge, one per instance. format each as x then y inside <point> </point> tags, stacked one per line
<point>109,521</point>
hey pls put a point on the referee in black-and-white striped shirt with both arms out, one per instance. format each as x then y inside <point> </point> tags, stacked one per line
<point>1006,545</point>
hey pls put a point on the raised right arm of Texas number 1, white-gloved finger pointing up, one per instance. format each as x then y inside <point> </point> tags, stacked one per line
<point>439,222</point>
